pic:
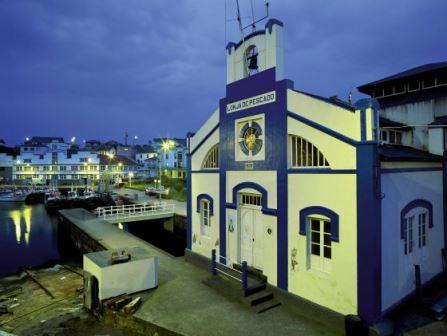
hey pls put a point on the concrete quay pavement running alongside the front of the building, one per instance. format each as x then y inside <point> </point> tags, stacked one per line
<point>182,303</point>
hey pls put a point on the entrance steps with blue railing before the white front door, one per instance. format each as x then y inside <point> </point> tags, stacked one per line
<point>257,297</point>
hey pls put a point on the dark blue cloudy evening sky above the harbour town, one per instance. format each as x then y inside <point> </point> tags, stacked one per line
<point>94,69</point>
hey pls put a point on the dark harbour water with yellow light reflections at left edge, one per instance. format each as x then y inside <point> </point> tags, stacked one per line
<point>28,236</point>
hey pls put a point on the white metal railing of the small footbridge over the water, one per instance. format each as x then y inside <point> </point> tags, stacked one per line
<point>135,210</point>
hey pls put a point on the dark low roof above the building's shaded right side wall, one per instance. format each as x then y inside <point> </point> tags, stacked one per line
<point>405,153</point>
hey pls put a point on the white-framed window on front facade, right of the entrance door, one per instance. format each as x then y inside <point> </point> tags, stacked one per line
<point>319,244</point>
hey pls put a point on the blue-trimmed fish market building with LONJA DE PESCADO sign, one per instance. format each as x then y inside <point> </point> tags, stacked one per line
<point>299,187</point>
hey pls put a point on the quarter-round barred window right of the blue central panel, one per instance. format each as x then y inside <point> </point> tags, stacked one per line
<point>302,153</point>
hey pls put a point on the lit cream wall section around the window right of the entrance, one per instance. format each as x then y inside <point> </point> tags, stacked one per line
<point>337,289</point>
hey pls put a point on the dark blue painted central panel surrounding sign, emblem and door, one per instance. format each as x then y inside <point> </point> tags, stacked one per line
<point>275,143</point>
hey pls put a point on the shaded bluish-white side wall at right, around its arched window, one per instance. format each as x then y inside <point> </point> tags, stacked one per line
<point>397,269</point>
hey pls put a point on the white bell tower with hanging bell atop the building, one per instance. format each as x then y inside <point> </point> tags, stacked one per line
<point>256,52</point>
